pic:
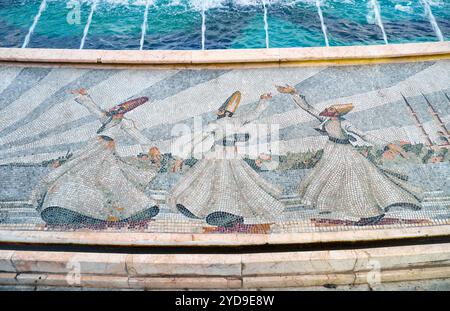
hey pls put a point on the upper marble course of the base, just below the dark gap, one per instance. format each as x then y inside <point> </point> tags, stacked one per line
<point>229,265</point>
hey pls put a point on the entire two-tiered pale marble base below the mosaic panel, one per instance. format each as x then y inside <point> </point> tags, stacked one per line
<point>370,268</point>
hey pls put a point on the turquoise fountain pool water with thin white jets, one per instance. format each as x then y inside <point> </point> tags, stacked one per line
<point>219,24</point>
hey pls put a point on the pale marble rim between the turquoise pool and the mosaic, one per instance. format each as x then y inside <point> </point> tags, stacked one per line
<point>217,57</point>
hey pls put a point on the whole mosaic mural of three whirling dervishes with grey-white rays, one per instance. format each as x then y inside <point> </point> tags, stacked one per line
<point>270,150</point>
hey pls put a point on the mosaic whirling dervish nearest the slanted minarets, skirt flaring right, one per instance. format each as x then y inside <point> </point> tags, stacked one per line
<point>343,179</point>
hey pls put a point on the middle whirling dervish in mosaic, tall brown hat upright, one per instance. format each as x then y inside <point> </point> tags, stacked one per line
<point>222,188</point>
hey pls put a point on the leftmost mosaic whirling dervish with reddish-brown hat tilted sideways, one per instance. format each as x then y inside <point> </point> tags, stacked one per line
<point>96,187</point>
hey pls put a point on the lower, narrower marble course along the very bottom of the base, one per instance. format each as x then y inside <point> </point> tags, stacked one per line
<point>382,277</point>
